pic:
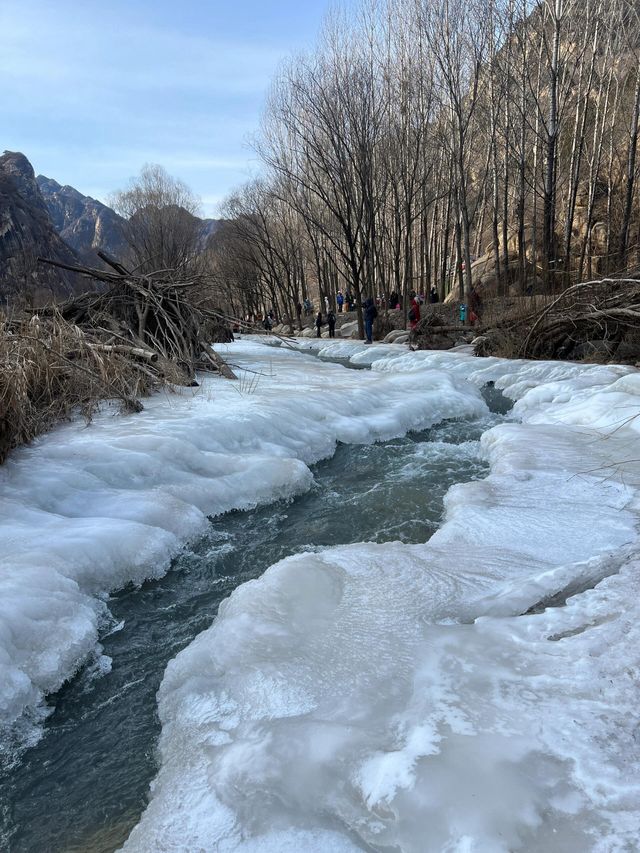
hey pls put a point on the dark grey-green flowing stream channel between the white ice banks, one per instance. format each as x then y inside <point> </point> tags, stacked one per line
<point>85,784</point>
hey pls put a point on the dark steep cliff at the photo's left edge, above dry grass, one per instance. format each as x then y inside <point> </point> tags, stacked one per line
<point>26,232</point>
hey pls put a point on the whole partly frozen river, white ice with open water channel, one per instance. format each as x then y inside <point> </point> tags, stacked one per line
<point>406,663</point>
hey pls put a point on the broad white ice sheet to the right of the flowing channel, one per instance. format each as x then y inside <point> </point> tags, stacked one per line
<point>475,693</point>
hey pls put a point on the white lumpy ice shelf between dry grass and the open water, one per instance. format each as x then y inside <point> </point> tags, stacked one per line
<point>85,510</point>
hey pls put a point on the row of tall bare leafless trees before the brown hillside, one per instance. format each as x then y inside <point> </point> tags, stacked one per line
<point>423,135</point>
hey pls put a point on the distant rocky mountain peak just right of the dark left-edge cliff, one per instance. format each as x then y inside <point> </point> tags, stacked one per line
<point>83,222</point>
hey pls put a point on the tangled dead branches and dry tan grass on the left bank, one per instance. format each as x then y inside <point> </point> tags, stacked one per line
<point>140,333</point>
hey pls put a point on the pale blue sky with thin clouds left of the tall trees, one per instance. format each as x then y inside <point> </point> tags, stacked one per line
<point>94,89</point>
